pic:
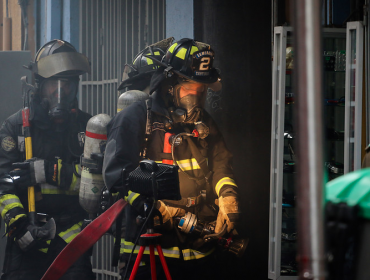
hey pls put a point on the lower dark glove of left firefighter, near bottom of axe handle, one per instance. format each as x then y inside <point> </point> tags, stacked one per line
<point>28,236</point>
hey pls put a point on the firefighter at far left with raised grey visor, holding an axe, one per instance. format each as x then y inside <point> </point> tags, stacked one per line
<point>55,122</point>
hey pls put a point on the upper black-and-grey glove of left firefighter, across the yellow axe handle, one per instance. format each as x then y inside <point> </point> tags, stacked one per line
<point>34,171</point>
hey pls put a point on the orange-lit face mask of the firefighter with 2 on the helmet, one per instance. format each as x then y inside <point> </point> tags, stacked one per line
<point>188,98</point>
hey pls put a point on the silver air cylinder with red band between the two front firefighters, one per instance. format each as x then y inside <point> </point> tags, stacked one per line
<point>91,177</point>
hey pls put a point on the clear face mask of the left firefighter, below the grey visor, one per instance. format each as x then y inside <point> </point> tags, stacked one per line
<point>58,96</point>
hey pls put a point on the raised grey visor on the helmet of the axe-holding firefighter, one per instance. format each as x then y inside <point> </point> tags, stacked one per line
<point>64,63</point>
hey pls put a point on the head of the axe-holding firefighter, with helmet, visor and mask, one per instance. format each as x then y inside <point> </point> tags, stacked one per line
<point>56,69</point>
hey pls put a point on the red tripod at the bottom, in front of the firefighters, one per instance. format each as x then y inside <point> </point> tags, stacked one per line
<point>152,240</point>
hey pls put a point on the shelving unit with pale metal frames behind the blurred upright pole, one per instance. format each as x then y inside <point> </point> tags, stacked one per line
<point>342,59</point>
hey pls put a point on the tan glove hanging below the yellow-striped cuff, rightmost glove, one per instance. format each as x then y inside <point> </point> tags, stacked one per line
<point>228,213</point>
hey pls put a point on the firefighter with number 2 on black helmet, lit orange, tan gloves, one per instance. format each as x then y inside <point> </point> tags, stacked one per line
<point>179,87</point>
